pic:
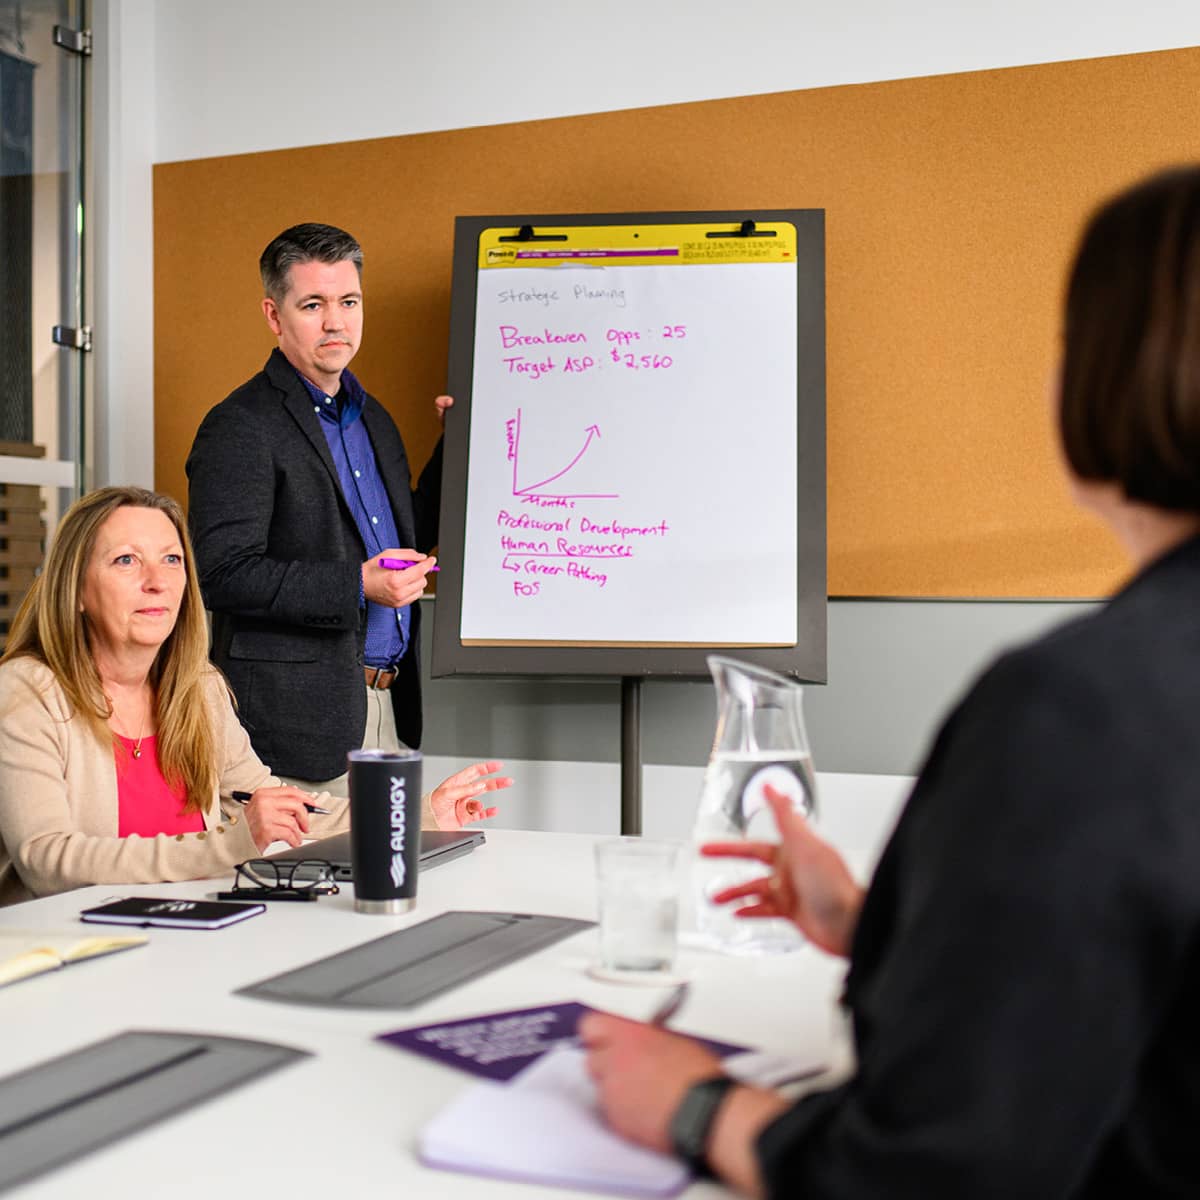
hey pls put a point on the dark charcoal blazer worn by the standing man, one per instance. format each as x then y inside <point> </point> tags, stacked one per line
<point>280,562</point>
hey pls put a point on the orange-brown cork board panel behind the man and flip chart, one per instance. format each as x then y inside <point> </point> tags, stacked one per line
<point>953,205</point>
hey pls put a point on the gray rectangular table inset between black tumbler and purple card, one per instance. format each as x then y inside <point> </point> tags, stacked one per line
<point>404,969</point>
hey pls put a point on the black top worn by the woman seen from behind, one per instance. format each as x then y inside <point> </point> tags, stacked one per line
<point>1025,976</point>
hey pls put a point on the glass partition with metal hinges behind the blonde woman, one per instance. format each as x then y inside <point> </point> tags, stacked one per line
<point>43,335</point>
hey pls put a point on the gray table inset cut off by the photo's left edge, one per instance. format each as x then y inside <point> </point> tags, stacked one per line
<point>59,1111</point>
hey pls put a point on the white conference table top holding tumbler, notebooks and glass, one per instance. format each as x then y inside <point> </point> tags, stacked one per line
<point>345,1121</point>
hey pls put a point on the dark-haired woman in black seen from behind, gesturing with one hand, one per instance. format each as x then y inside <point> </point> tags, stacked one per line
<point>1025,965</point>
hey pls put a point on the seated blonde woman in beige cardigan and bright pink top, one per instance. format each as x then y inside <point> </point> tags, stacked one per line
<point>122,749</point>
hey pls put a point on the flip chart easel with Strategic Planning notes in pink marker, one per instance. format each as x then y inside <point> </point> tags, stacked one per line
<point>635,461</point>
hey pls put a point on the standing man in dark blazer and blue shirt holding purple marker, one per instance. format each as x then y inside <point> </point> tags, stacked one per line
<point>298,487</point>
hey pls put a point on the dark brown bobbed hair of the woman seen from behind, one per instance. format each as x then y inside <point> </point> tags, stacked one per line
<point>1131,379</point>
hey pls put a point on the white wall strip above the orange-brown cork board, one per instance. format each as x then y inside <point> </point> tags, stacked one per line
<point>237,77</point>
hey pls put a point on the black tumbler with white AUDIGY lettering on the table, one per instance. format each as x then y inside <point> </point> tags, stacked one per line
<point>386,829</point>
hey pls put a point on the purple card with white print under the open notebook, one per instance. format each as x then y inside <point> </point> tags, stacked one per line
<point>497,1046</point>
